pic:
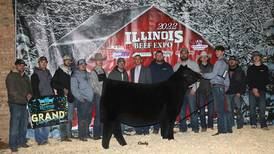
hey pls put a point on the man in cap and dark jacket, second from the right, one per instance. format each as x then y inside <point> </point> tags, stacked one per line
<point>236,88</point>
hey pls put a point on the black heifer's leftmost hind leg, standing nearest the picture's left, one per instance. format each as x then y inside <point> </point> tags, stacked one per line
<point>107,132</point>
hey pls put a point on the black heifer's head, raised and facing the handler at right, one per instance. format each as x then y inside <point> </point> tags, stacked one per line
<point>186,74</point>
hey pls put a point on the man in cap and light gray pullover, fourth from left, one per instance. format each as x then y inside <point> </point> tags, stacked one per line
<point>83,94</point>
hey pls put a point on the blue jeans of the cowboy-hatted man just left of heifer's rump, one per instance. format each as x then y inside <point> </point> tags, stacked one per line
<point>97,127</point>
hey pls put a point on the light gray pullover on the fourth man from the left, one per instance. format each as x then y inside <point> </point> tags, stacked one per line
<point>80,86</point>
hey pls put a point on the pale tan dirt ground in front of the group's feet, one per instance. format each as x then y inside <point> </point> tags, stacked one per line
<point>246,140</point>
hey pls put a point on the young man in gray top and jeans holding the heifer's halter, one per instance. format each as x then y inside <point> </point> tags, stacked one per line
<point>219,80</point>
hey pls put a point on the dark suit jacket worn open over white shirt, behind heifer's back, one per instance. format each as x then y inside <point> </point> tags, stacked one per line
<point>145,75</point>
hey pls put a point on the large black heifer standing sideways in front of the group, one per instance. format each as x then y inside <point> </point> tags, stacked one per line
<point>143,104</point>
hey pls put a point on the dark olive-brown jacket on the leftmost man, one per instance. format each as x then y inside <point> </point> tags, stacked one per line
<point>18,87</point>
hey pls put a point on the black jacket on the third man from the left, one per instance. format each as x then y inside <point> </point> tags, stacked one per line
<point>61,80</point>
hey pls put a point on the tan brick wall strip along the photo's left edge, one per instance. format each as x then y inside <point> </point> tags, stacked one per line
<point>7,56</point>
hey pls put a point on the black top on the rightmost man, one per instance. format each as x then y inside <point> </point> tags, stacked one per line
<point>257,77</point>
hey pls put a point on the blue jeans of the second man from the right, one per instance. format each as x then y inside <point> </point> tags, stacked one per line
<point>236,104</point>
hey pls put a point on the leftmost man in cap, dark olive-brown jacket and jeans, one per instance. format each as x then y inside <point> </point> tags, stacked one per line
<point>19,93</point>
